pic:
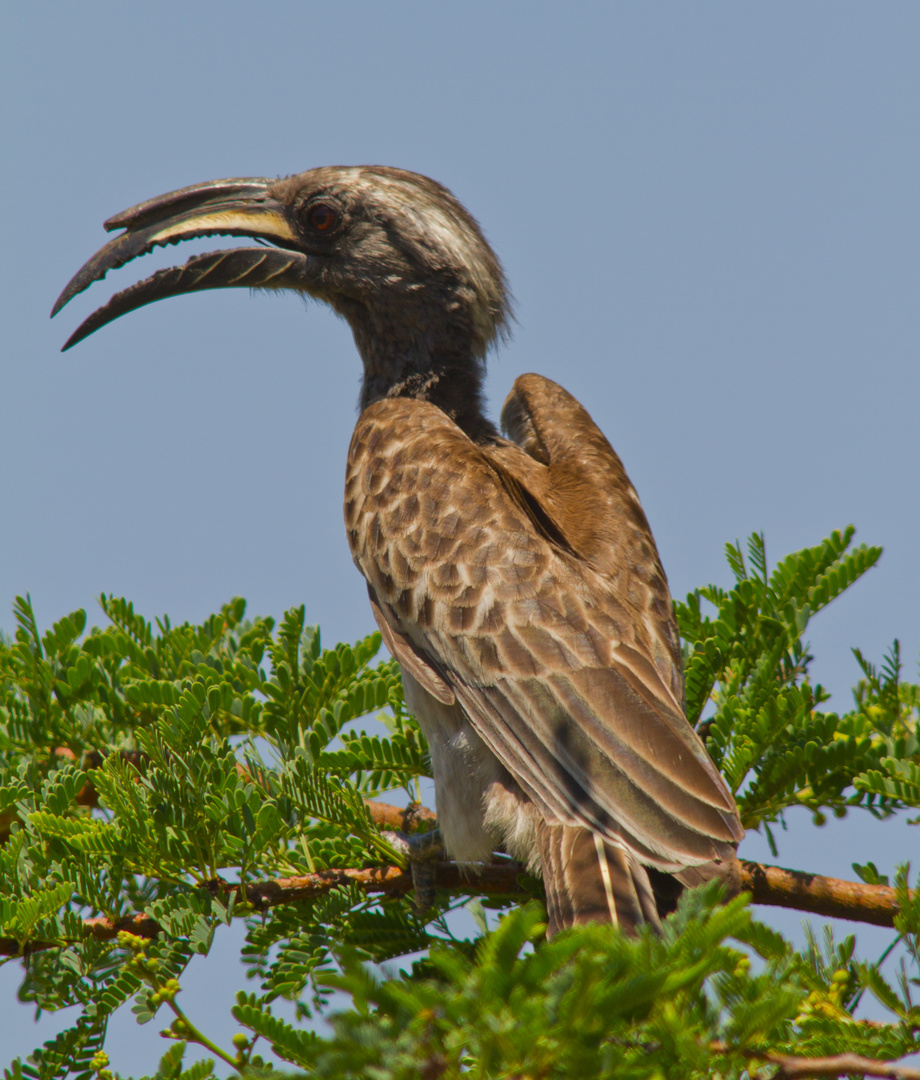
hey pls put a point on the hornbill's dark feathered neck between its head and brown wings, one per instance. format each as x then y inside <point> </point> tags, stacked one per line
<point>421,363</point>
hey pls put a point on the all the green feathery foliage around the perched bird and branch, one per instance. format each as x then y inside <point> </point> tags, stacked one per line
<point>146,767</point>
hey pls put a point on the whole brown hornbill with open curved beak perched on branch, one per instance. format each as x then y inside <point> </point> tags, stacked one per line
<point>516,580</point>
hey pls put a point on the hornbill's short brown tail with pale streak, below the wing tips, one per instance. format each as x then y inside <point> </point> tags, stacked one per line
<point>592,880</point>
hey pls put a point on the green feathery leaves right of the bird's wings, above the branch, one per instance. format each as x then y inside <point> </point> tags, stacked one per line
<point>777,748</point>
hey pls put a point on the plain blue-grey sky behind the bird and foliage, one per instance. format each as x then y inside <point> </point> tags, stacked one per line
<point>709,217</point>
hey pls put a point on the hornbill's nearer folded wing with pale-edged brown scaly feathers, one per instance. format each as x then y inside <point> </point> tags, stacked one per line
<point>550,655</point>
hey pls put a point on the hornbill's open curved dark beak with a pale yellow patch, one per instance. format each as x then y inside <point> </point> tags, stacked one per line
<point>234,208</point>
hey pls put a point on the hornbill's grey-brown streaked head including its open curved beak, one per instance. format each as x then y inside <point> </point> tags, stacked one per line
<point>393,252</point>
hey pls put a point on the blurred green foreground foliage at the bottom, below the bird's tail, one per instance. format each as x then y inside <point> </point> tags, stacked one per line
<point>589,1004</point>
